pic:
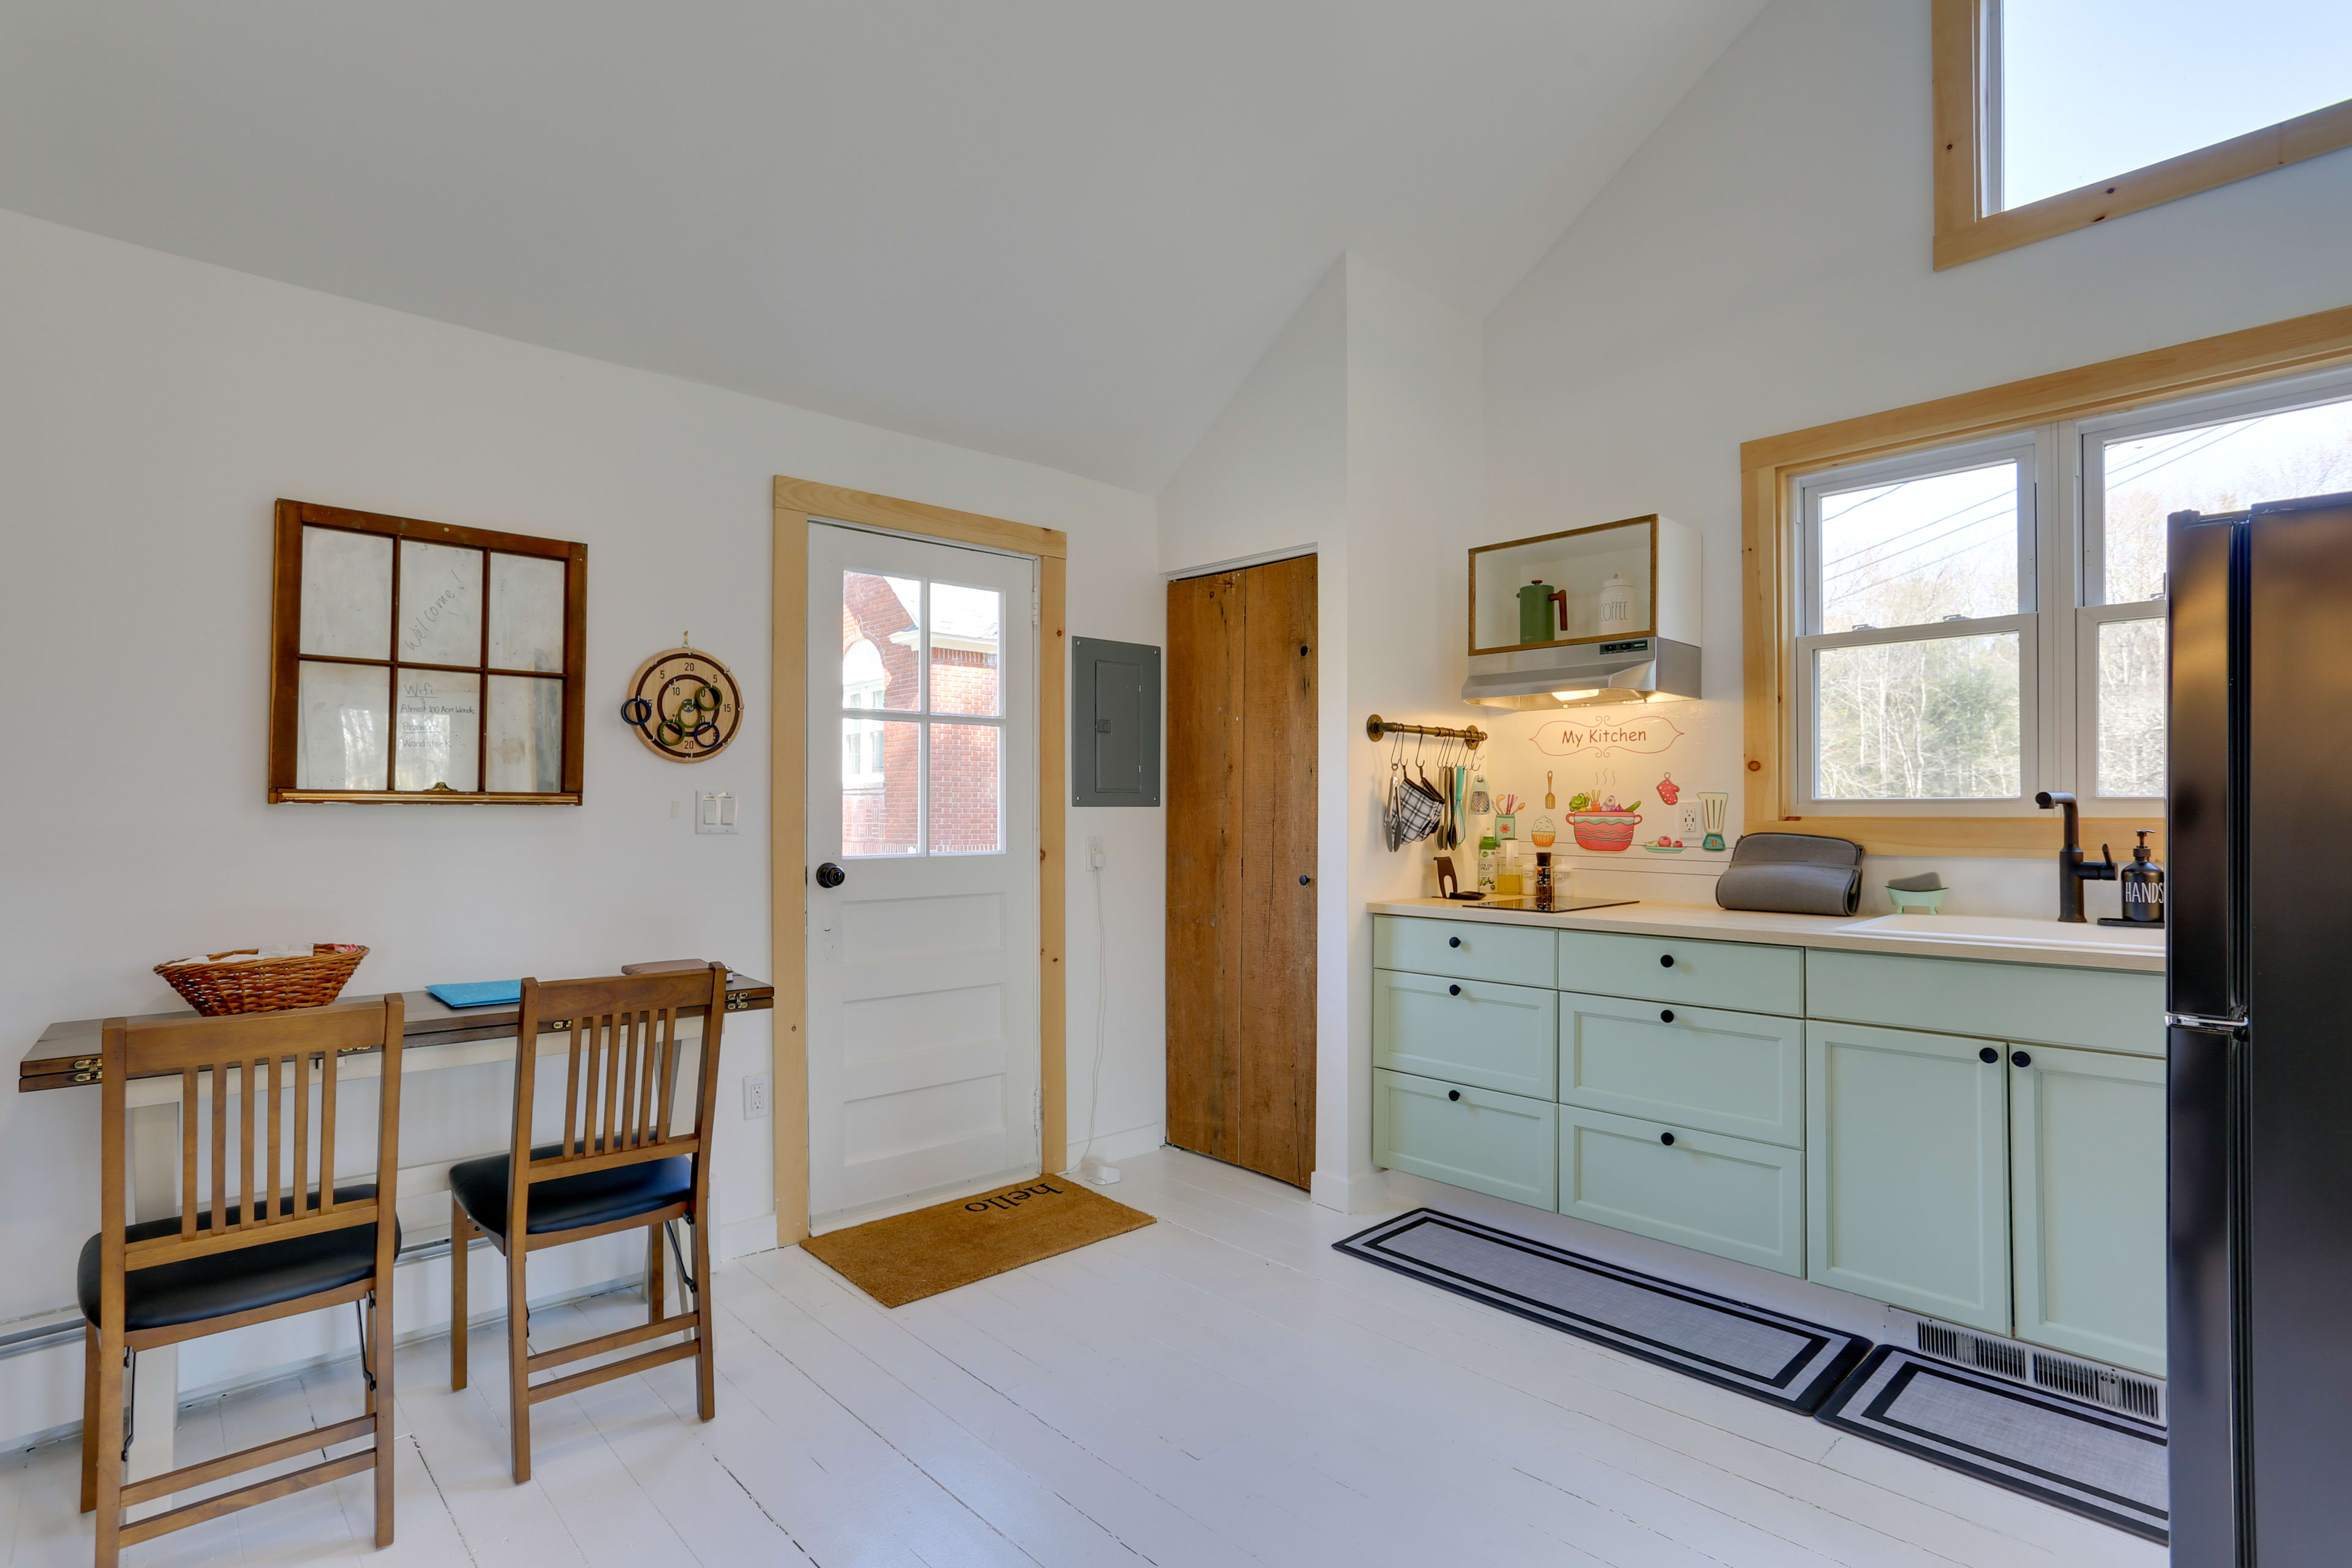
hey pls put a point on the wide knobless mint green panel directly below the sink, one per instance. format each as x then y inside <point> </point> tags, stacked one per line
<point>2102,1010</point>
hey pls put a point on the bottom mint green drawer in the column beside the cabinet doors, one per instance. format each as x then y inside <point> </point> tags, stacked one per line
<point>1720,1195</point>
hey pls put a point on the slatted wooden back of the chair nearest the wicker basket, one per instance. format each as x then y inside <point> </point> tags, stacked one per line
<point>239,1071</point>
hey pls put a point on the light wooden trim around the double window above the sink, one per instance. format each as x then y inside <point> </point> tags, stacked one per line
<point>1768,554</point>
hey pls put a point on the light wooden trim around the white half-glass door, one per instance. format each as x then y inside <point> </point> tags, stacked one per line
<point>799,504</point>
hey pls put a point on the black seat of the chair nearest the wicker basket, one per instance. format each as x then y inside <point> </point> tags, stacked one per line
<point>250,1278</point>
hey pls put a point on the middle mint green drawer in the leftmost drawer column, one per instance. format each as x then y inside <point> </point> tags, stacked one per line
<point>1466,1031</point>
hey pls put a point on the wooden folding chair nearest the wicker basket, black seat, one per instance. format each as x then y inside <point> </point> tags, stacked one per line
<point>241,1252</point>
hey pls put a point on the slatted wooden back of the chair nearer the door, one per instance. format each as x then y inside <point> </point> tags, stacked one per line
<point>622,1071</point>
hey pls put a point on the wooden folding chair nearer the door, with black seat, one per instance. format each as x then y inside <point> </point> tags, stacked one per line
<point>617,1165</point>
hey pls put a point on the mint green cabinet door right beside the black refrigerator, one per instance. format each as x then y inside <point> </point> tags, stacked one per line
<point>2087,1172</point>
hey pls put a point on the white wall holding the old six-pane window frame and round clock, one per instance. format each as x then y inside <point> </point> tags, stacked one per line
<point>149,415</point>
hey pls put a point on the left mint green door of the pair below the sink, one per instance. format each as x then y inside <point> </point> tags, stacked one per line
<point>1909,1170</point>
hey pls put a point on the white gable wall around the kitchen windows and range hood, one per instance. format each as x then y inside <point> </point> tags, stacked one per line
<point>1763,267</point>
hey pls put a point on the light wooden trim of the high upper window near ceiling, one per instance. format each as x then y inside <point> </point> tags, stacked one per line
<point>1965,232</point>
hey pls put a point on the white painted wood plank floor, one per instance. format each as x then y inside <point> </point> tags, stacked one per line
<point>1217,1388</point>
